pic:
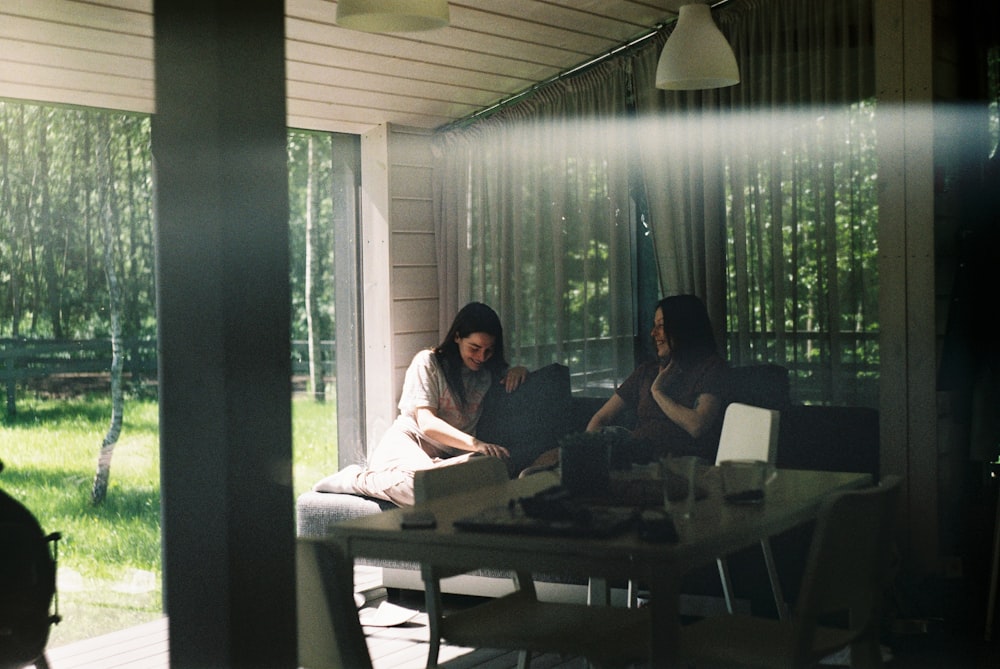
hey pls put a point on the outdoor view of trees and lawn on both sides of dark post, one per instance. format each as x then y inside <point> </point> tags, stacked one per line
<point>77,254</point>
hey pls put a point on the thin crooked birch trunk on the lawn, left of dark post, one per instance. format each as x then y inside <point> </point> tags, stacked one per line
<point>108,221</point>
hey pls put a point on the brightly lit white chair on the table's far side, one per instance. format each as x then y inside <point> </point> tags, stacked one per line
<point>751,433</point>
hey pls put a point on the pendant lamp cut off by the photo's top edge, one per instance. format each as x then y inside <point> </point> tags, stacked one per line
<point>392,16</point>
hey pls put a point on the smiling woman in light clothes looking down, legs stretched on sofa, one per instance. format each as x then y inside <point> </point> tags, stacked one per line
<point>439,408</point>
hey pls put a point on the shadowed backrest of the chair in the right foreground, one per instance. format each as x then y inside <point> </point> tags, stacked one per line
<point>849,561</point>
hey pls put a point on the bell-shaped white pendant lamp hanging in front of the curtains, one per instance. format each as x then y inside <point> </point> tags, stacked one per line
<point>696,54</point>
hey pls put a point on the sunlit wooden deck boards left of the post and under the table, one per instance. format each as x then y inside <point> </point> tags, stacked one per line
<point>401,647</point>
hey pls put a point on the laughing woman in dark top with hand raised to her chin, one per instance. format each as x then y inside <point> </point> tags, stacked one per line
<point>678,397</point>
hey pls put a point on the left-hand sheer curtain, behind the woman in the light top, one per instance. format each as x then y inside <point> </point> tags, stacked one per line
<point>534,219</point>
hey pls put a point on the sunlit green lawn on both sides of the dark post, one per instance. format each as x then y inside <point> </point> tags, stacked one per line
<point>109,555</point>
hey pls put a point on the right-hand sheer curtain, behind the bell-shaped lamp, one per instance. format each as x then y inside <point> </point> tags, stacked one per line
<point>762,195</point>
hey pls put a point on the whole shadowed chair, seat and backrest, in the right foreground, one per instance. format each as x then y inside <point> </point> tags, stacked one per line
<point>846,575</point>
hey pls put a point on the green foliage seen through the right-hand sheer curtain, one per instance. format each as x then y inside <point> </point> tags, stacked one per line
<point>802,249</point>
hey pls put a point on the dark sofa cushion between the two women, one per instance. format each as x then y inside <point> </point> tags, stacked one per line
<point>530,420</point>
